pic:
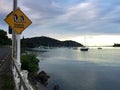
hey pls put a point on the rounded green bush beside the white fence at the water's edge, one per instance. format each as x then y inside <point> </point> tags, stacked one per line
<point>30,63</point>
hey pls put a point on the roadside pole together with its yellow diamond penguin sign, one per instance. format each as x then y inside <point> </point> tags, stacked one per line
<point>18,21</point>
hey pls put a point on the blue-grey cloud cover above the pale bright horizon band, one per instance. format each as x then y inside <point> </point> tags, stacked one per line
<point>98,16</point>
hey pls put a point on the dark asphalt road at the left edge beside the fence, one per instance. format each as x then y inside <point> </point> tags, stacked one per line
<point>5,64</point>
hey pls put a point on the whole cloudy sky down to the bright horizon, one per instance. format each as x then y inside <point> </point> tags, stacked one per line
<point>96,20</point>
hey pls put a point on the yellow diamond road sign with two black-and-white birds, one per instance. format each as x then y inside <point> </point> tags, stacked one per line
<point>18,21</point>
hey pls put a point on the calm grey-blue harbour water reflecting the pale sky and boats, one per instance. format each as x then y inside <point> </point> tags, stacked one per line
<point>76,70</point>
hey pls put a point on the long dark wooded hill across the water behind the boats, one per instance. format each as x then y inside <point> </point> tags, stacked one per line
<point>47,41</point>
